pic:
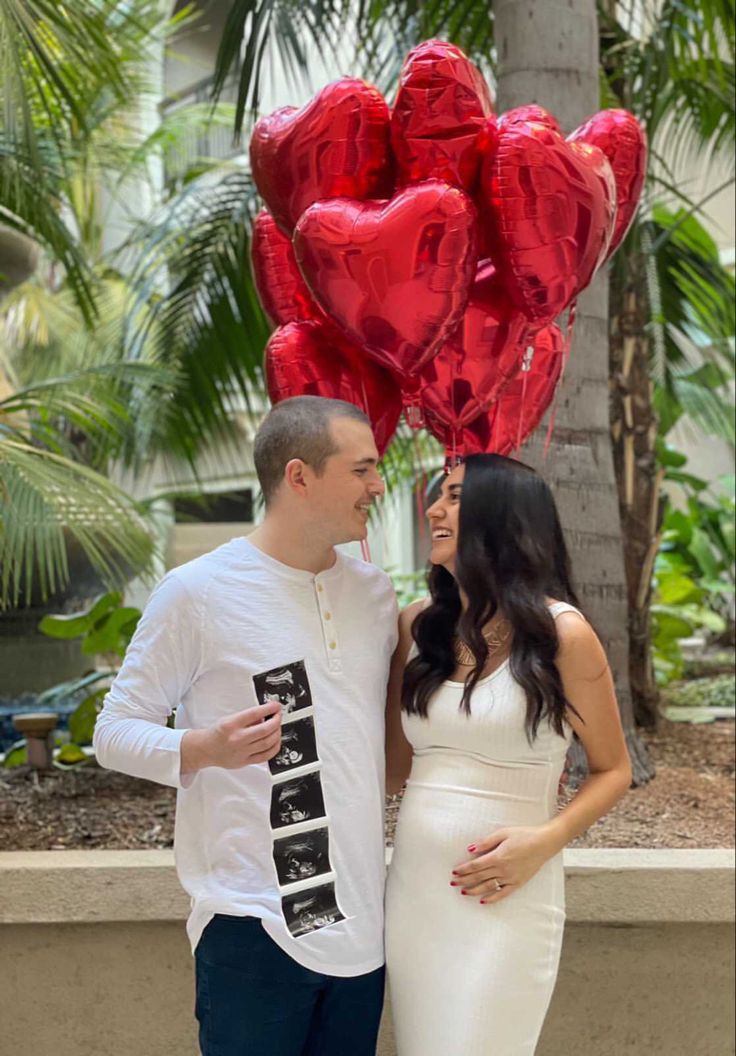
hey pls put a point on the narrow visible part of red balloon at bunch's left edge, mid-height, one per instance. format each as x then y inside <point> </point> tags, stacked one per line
<point>285,295</point>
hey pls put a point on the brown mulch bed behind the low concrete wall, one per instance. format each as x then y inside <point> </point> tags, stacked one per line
<point>689,804</point>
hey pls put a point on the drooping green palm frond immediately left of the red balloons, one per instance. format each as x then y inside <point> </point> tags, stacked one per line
<point>195,306</point>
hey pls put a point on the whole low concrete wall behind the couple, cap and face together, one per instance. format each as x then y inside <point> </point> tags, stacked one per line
<point>648,965</point>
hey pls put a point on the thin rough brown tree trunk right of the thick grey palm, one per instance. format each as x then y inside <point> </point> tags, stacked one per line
<point>634,433</point>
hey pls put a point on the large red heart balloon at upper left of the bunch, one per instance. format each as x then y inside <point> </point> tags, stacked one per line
<point>335,146</point>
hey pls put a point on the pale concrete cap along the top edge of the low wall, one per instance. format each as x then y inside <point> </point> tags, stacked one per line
<point>608,887</point>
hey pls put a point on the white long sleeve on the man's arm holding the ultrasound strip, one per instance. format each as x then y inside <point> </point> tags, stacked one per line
<point>160,667</point>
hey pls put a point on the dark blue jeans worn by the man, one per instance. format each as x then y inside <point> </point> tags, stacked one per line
<point>253,1000</point>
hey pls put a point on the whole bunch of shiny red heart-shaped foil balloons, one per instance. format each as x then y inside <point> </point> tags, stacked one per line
<point>418,258</point>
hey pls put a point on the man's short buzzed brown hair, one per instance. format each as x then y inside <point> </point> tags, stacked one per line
<point>298,428</point>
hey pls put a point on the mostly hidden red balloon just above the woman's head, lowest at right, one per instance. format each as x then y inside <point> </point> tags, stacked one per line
<point>518,411</point>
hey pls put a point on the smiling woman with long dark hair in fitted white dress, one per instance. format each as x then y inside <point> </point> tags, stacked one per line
<point>493,676</point>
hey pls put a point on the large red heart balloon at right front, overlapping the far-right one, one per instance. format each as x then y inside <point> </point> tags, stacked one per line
<point>550,208</point>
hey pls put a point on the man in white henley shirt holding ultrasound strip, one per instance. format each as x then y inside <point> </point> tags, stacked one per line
<point>285,968</point>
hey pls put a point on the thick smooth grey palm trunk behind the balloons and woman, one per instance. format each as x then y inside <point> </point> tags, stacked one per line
<point>549,53</point>
